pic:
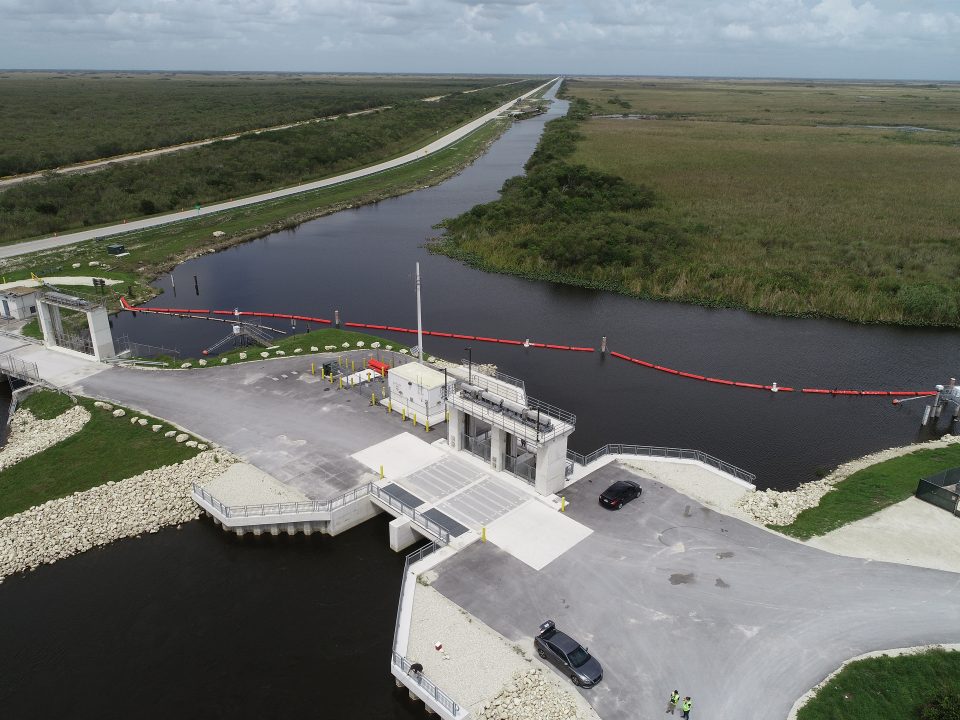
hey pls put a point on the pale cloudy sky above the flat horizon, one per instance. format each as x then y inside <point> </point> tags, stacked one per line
<point>883,39</point>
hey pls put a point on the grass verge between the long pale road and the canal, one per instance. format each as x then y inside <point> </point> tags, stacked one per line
<point>159,249</point>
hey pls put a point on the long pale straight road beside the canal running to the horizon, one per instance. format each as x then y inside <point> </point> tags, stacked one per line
<point>48,243</point>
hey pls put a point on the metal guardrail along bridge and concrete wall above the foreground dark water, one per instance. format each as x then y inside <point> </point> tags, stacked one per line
<point>292,510</point>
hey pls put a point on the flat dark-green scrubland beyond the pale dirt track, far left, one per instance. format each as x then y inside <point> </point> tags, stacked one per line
<point>78,116</point>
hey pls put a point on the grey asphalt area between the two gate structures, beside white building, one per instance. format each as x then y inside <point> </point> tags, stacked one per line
<point>296,427</point>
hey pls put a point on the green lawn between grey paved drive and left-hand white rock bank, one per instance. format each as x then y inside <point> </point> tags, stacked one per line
<point>107,448</point>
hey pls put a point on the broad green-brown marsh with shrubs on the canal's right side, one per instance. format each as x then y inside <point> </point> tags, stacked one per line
<point>751,203</point>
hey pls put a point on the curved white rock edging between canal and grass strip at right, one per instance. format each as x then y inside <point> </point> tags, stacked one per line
<point>772,507</point>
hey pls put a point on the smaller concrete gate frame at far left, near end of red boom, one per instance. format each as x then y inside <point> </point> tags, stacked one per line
<point>95,339</point>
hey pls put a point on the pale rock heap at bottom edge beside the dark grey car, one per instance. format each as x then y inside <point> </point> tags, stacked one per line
<point>531,696</point>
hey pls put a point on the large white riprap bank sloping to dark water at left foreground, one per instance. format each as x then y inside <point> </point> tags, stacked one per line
<point>141,504</point>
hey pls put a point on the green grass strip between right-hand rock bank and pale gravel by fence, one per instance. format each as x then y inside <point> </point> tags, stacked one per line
<point>870,490</point>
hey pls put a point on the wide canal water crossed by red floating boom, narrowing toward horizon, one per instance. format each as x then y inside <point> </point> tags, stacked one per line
<point>361,262</point>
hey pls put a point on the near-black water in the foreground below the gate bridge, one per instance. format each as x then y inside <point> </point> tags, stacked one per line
<point>196,623</point>
